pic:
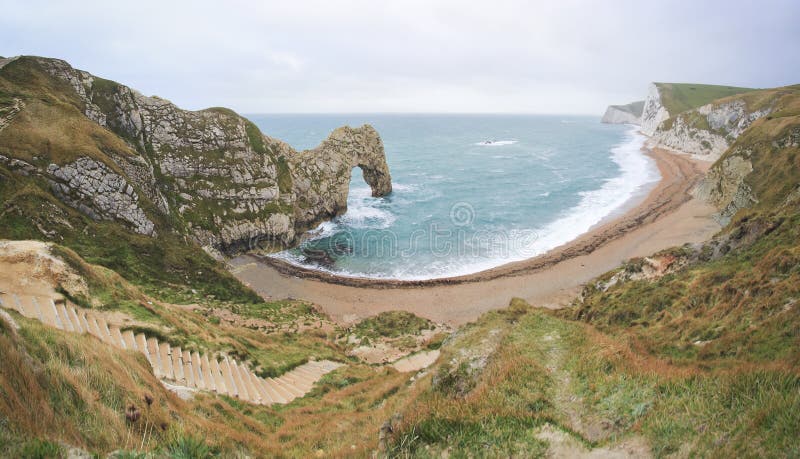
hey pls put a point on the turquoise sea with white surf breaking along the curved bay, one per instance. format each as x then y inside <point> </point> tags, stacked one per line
<point>471,192</point>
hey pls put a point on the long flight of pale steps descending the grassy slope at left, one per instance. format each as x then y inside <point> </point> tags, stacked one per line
<point>221,375</point>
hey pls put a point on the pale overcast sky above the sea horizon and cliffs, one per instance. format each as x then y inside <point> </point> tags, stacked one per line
<point>370,56</point>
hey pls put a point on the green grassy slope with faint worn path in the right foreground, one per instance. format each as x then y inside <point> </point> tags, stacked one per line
<point>548,370</point>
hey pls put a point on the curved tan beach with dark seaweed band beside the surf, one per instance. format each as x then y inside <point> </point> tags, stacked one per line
<point>667,216</point>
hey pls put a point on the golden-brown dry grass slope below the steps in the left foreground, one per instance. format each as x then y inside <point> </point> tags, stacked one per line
<point>67,388</point>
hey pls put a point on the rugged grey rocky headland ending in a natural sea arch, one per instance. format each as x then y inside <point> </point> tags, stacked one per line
<point>117,155</point>
